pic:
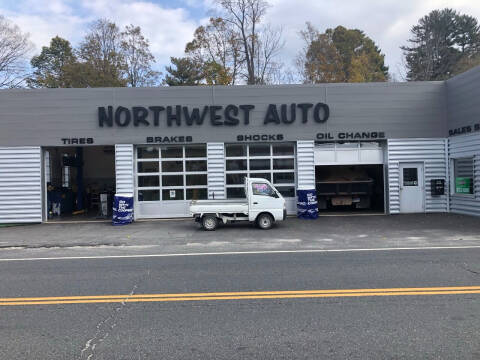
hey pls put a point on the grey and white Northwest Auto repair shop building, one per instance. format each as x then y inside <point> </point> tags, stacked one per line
<point>168,145</point>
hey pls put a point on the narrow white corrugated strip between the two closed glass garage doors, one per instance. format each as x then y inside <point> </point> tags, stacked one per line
<point>216,170</point>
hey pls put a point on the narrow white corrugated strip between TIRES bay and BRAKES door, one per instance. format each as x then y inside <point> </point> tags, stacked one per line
<point>124,172</point>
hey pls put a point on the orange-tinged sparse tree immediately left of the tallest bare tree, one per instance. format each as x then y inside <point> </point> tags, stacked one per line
<point>216,46</point>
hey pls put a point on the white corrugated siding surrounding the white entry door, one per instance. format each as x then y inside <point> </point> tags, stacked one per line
<point>431,152</point>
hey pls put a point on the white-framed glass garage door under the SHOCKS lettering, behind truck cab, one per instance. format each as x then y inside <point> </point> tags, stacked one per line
<point>274,162</point>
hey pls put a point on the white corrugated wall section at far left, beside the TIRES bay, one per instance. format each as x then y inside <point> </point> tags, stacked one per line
<point>20,185</point>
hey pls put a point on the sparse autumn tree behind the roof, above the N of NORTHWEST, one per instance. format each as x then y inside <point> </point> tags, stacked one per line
<point>102,57</point>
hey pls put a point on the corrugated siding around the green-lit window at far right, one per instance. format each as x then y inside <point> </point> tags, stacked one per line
<point>459,147</point>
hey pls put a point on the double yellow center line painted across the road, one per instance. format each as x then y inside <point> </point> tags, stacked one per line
<point>240,295</point>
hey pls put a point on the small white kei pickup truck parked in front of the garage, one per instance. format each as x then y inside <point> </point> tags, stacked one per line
<point>263,205</point>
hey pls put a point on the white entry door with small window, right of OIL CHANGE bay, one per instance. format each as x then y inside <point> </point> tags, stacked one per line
<point>411,188</point>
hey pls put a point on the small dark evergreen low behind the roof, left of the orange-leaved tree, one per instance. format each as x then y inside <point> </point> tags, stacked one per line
<point>185,71</point>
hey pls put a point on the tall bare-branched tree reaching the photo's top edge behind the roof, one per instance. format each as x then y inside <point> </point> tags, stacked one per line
<point>258,45</point>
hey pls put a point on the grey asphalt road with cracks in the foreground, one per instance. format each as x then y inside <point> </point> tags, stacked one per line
<point>359,327</point>
